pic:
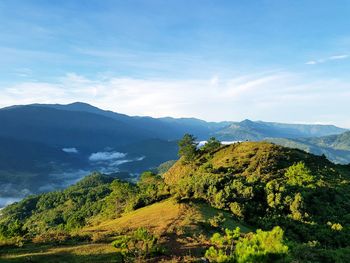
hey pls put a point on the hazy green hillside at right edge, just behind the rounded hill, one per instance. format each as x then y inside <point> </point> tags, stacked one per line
<point>335,147</point>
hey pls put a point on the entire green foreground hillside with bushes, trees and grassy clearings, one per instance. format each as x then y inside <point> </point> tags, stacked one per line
<point>249,185</point>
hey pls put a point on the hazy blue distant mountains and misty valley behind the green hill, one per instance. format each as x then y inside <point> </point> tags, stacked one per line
<point>49,146</point>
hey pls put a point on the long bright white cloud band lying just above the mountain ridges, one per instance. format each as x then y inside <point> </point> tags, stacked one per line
<point>272,96</point>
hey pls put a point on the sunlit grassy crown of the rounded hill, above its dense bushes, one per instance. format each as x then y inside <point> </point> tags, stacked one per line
<point>261,159</point>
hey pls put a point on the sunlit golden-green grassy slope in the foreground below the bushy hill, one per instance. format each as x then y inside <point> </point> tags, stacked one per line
<point>179,227</point>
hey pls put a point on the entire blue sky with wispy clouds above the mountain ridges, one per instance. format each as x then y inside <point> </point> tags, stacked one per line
<point>285,61</point>
